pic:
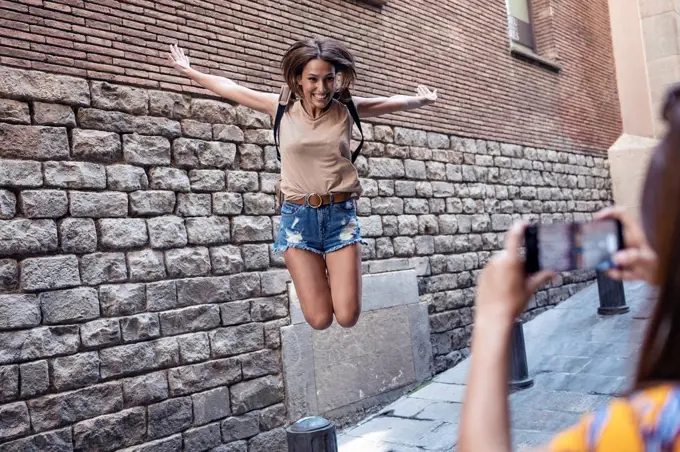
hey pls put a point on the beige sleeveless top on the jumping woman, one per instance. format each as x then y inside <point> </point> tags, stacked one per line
<point>315,153</point>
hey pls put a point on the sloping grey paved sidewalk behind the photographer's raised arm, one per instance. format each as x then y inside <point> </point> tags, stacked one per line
<point>578,360</point>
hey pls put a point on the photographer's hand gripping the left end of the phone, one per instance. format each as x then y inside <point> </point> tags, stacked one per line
<point>504,289</point>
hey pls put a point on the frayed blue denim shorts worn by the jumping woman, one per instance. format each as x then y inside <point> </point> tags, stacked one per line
<point>320,230</point>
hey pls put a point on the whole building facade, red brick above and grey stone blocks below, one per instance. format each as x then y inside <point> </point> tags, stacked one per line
<point>138,292</point>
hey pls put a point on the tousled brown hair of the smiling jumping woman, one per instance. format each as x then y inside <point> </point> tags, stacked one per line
<point>302,52</point>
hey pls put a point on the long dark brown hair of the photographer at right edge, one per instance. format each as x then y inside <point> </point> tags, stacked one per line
<point>660,356</point>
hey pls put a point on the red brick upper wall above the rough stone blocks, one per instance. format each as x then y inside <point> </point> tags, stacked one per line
<point>459,47</point>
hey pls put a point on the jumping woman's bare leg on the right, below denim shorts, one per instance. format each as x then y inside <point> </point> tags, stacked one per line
<point>344,273</point>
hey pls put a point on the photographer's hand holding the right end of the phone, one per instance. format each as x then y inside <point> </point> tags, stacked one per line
<point>637,261</point>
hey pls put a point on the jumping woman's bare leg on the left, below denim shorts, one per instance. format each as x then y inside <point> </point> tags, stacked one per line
<point>308,271</point>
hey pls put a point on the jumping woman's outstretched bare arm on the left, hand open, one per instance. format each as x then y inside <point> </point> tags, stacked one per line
<point>262,102</point>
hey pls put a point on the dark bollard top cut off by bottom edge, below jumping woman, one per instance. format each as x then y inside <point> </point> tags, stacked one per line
<point>312,434</point>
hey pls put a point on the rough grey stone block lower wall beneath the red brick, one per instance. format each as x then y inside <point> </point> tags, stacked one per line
<point>140,302</point>
